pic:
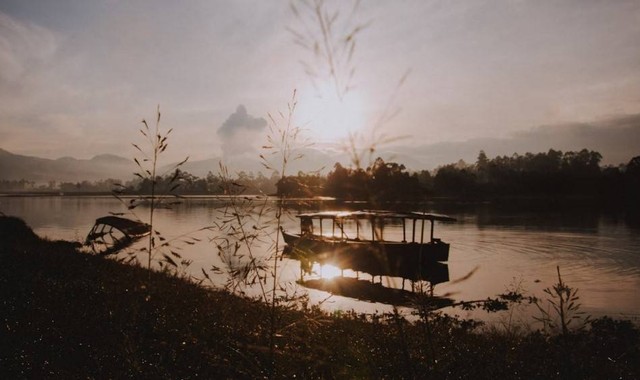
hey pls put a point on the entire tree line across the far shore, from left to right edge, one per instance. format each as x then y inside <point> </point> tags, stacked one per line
<point>552,173</point>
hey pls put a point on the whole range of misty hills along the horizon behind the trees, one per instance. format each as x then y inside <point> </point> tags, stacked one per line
<point>616,139</point>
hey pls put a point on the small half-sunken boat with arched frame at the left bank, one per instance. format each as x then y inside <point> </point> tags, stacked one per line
<point>110,234</point>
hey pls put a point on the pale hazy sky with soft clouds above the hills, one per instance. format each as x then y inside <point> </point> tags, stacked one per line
<point>77,76</point>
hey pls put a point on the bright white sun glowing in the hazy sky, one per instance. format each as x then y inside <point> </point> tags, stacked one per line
<point>328,116</point>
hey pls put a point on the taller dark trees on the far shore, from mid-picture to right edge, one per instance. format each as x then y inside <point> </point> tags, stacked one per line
<point>552,173</point>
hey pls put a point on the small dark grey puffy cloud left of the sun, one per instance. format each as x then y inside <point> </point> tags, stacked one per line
<point>240,132</point>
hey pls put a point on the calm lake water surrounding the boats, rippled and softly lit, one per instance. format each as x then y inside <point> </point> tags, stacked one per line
<point>503,248</point>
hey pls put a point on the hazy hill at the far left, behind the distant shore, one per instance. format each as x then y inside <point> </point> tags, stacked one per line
<point>65,169</point>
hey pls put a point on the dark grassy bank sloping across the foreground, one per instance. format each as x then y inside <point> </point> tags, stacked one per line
<point>68,315</point>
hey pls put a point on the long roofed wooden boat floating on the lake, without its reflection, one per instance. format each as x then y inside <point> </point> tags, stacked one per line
<point>330,243</point>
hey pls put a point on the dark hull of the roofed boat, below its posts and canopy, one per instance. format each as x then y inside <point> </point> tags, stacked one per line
<point>408,260</point>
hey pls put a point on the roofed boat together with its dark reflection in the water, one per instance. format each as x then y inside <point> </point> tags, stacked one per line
<point>342,245</point>
